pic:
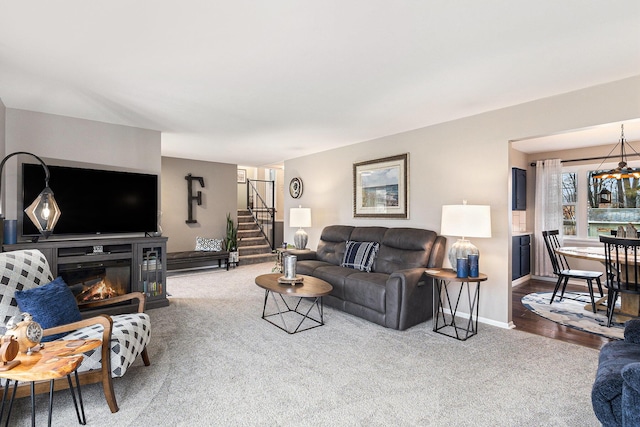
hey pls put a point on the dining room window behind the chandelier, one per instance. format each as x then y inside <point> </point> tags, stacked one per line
<point>591,207</point>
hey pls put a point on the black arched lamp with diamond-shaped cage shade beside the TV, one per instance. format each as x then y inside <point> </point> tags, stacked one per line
<point>44,211</point>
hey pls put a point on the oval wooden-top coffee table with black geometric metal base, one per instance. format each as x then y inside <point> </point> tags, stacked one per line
<point>310,288</point>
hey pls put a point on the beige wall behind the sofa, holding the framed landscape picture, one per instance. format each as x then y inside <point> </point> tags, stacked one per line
<point>465,159</point>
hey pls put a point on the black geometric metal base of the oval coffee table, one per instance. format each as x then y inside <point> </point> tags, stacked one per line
<point>287,308</point>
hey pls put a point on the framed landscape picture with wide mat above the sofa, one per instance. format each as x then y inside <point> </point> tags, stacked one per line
<point>381,188</point>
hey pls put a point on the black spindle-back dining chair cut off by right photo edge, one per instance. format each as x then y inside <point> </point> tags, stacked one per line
<point>622,275</point>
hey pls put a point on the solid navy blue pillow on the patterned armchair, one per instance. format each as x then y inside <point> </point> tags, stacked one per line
<point>50,305</point>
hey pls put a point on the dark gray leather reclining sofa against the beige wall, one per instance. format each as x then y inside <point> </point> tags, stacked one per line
<point>395,293</point>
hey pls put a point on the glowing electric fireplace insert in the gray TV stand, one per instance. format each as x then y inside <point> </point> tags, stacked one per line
<point>95,281</point>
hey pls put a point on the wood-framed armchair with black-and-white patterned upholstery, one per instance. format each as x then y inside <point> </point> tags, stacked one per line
<point>124,336</point>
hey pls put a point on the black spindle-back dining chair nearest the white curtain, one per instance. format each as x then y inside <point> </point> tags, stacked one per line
<point>564,272</point>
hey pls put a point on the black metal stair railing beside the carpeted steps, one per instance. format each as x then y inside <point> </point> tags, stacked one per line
<point>261,205</point>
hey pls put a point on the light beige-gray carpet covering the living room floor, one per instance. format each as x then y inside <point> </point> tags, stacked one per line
<point>215,362</point>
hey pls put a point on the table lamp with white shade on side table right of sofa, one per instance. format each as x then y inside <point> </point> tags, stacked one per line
<point>465,221</point>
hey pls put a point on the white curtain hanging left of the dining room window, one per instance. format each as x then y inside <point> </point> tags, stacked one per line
<point>548,210</point>
